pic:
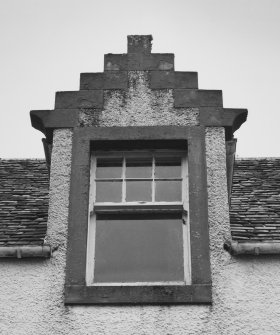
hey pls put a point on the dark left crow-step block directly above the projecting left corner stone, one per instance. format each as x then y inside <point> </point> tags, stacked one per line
<point>79,99</point>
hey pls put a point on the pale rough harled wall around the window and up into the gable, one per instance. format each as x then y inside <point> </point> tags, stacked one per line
<point>245,291</point>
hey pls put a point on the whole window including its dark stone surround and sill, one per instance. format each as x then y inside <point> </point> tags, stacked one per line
<point>142,190</point>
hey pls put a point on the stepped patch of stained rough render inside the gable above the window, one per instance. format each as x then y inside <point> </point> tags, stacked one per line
<point>139,106</point>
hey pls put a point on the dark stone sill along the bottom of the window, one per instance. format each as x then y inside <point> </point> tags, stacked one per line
<point>165,294</point>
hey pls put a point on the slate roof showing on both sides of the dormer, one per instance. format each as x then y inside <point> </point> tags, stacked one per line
<point>255,202</point>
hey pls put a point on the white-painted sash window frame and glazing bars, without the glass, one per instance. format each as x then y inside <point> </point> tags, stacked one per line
<point>138,207</point>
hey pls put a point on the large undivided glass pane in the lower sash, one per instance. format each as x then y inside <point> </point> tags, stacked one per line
<point>133,248</point>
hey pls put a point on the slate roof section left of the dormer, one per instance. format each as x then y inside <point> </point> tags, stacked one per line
<point>23,201</point>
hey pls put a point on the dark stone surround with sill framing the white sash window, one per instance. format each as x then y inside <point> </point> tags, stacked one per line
<point>76,290</point>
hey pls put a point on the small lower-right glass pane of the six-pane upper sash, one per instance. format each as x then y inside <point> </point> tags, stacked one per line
<point>168,190</point>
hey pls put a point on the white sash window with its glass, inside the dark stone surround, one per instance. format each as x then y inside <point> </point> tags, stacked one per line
<point>138,222</point>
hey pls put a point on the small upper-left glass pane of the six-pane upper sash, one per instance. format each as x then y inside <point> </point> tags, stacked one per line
<point>109,168</point>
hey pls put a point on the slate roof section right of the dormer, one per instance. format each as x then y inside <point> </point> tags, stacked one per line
<point>255,201</point>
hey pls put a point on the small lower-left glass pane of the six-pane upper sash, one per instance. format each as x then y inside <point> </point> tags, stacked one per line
<point>108,191</point>
